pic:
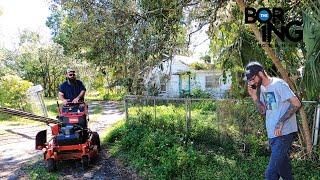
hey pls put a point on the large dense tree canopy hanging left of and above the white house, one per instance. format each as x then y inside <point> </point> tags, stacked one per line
<point>123,37</point>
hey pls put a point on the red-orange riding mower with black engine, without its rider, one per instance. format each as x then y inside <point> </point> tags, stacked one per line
<point>71,138</point>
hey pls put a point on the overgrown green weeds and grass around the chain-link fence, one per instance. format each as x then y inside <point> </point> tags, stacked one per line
<point>158,148</point>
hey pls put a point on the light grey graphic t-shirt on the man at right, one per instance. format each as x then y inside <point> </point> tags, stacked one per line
<point>276,97</point>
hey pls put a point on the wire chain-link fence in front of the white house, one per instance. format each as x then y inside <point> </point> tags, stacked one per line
<point>201,121</point>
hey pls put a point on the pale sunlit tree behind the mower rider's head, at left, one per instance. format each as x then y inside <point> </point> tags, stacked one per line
<point>37,63</point>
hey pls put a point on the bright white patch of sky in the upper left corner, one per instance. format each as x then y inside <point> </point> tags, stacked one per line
<point>18,15</point>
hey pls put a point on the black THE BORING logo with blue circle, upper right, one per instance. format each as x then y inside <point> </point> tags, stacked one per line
<point>269,20</point>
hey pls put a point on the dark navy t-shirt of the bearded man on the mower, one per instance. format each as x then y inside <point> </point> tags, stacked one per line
<point>70,90</point>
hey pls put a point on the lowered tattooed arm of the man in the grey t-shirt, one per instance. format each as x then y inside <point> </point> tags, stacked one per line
<point>293,108</point>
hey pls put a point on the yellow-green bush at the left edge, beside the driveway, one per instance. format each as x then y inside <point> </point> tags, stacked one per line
<point>13,92</point>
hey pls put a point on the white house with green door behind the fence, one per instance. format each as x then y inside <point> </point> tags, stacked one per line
<point>176,78</point>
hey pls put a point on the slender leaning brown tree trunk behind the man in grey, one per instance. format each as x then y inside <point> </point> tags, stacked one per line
<point>284,73</point>
